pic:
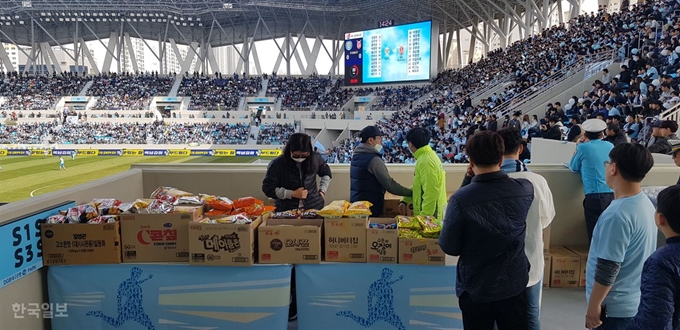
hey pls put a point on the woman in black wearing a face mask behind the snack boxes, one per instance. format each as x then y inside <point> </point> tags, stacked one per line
<point>291,177</point>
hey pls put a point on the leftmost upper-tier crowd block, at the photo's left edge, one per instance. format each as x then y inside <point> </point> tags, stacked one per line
<point>22,91</point>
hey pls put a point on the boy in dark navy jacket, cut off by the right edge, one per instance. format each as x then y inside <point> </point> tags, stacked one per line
<point>661,273</point>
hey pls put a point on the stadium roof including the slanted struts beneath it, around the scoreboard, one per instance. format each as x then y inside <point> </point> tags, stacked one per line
<point>205,24</point>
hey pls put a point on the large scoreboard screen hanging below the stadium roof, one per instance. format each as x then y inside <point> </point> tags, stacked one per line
<point>392,54</point>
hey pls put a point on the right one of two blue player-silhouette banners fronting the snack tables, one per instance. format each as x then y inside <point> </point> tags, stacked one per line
<point>377,296</point>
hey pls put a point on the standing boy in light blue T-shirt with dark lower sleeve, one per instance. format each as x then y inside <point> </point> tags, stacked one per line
<point>624,237</point>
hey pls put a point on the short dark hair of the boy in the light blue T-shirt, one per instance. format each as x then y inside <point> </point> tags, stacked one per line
<point>633,161</point>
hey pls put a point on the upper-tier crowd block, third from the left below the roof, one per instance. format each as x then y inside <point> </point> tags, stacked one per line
<point>217,93</point>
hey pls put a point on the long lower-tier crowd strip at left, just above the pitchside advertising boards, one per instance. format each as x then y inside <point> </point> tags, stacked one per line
<point>123,133</point>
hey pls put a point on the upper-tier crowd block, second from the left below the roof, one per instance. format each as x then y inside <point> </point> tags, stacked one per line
<point>128,91</point>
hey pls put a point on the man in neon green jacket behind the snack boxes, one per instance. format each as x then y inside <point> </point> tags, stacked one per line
<point>429,182</point>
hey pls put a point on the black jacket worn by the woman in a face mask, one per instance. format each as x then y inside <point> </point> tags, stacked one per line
<point>291,176</point>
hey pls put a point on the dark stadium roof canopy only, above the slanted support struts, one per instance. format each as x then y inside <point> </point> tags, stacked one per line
<point>227,22</point>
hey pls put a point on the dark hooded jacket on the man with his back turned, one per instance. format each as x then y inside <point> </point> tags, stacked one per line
<point>485,225</point>
